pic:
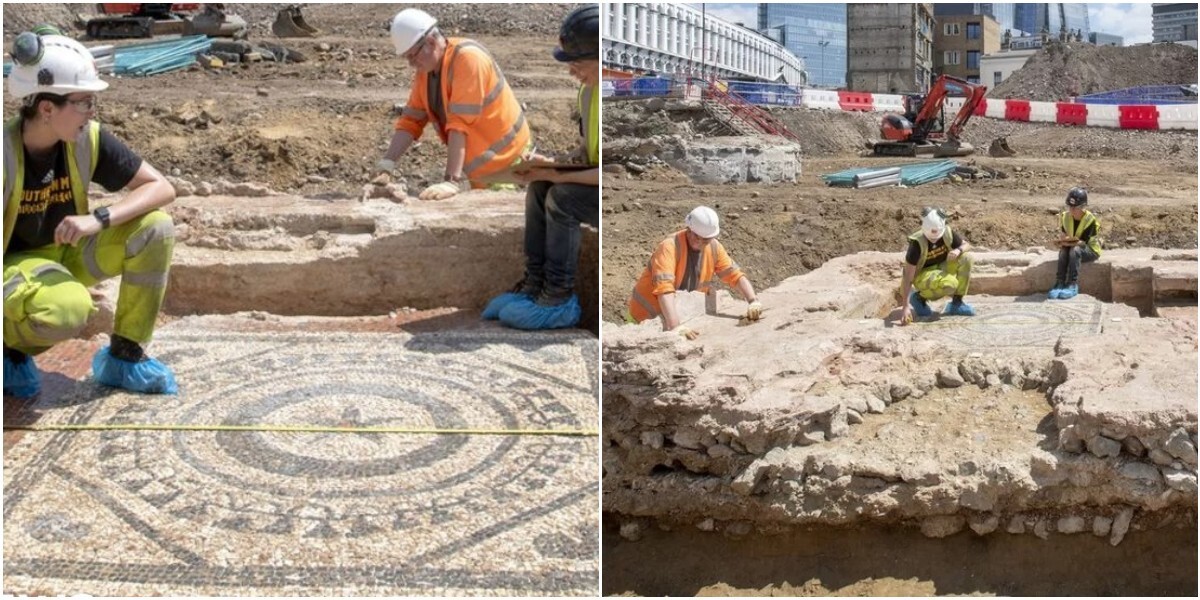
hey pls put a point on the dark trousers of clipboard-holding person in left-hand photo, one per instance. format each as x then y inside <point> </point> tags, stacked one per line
<point>554,213</point>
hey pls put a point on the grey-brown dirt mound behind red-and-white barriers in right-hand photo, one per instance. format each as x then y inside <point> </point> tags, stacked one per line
<point>1076,69</point>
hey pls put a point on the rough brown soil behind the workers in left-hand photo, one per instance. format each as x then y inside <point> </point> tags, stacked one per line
<point>317,128</point>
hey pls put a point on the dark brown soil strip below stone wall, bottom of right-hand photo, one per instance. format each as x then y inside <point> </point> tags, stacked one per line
<point>872,562</point>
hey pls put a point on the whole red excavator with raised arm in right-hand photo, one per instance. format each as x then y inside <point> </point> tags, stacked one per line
<point>921,130</point>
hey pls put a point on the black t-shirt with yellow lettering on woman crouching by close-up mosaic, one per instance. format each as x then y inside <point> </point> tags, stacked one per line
<point>47,199</point>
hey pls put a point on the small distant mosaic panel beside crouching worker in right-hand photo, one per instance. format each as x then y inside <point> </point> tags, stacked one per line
<point>1019,325</point>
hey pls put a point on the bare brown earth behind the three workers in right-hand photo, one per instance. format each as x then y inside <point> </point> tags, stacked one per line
<point>1143,187</point>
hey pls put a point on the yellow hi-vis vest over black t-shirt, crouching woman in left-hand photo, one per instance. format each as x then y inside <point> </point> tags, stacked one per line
<point>81,169</point>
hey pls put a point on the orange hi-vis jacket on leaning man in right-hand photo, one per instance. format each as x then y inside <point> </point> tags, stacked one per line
<point>667,272</point>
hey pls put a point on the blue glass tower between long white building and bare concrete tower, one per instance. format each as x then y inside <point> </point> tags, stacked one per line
<point>814,32</point>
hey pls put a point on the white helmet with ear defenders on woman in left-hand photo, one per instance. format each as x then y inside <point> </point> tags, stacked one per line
<point>46,63</point>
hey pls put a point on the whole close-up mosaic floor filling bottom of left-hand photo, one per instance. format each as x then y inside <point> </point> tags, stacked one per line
<point>232,513</point>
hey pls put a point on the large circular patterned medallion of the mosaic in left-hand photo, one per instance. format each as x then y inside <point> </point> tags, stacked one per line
<point>345,484</point>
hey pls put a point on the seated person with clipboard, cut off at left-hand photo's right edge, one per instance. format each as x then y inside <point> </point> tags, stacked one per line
<point>560,197</point>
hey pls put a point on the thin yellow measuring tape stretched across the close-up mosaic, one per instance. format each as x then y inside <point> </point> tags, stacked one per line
<point>303,429</point>
